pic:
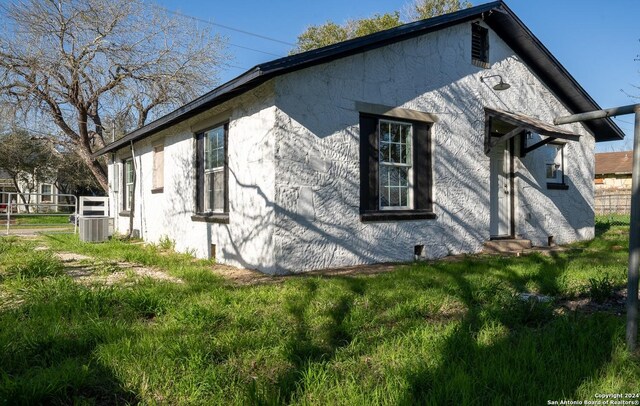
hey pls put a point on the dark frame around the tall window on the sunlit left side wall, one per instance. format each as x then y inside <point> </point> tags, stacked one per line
<point>201,212</point>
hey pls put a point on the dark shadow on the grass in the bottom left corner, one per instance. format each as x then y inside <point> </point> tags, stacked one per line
<point>50,343</point>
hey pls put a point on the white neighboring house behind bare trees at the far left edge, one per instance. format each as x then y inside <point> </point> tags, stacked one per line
<point>40,196</point>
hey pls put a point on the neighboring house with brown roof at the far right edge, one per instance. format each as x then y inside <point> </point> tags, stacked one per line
<point>613,171</point>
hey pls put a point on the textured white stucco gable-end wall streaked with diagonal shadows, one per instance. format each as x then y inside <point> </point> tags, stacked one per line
<point>317,224</point>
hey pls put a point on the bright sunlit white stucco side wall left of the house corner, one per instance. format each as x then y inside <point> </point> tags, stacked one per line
<point>247,241</point>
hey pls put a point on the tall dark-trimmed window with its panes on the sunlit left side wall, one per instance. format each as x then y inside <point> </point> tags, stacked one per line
<point>212,175</point>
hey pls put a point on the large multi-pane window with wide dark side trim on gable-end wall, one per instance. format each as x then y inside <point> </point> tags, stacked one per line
<point>395,169</point>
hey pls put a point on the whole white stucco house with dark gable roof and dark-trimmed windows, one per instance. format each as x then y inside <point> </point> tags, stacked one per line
<point>384,148</point>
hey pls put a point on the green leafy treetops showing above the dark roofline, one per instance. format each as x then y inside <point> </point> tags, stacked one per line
<point>317,36</point>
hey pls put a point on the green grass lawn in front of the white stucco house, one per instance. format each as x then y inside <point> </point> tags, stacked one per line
<point>448,332</point>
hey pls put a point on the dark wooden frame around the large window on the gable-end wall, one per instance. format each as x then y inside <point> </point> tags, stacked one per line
<point>421,178</point>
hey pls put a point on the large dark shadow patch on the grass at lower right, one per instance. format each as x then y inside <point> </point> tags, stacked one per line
<point>509,351</point>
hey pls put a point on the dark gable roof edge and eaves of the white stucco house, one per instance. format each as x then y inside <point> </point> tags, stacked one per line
<point>495,14</point>
